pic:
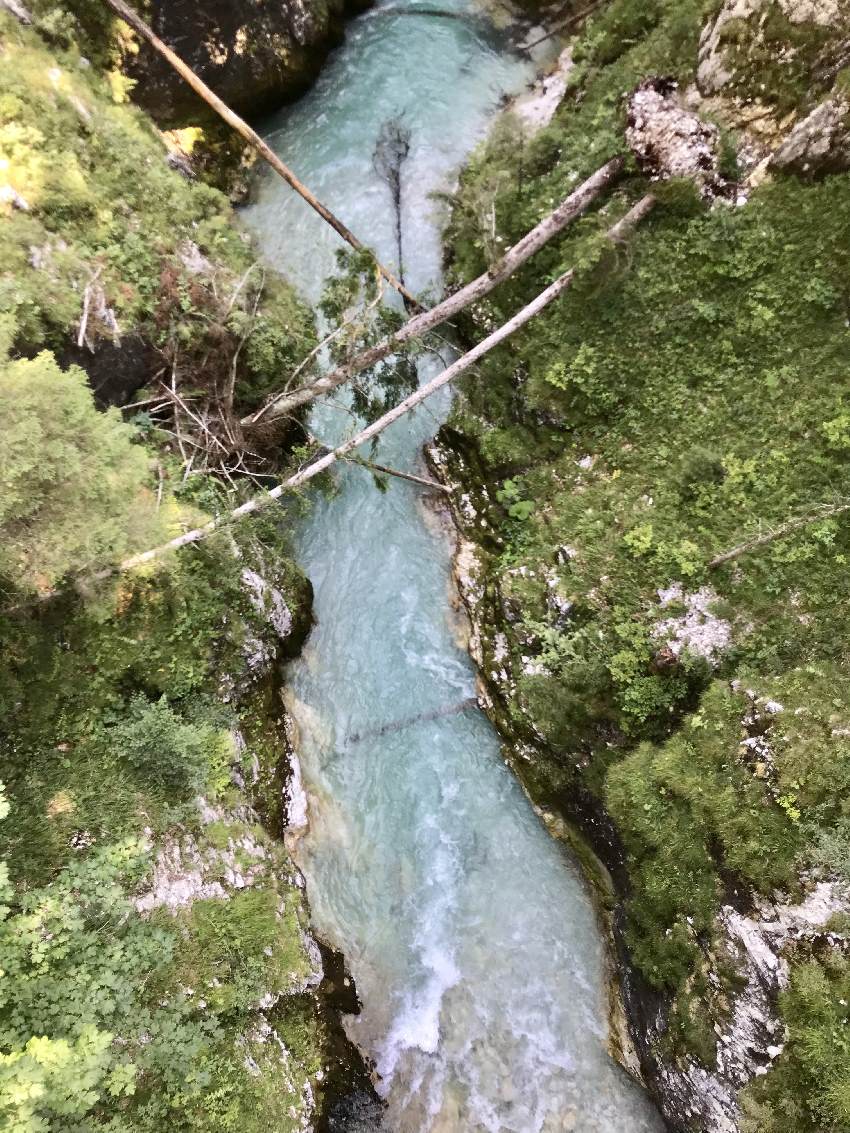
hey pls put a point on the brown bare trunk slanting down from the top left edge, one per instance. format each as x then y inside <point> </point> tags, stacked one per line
<point>251,137</point>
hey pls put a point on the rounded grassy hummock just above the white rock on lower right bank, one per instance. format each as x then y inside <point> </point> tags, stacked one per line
<point>687,810</point>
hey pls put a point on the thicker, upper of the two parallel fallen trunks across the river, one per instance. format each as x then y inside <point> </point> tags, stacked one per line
<point>569,210</point>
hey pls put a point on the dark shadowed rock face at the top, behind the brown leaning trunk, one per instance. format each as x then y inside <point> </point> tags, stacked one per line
<point>254,54</point>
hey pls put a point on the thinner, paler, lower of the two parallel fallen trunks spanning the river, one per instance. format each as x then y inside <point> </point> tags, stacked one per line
<point>616,234</point>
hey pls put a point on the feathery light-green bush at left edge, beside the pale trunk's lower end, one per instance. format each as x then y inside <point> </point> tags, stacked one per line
<point>75,489</point>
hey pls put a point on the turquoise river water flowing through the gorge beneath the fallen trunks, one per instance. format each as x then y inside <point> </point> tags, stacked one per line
<point>467,928</point>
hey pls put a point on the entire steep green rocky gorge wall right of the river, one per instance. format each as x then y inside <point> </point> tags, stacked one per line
<point>678,713</point>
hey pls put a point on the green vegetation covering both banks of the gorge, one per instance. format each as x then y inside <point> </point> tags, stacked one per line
<point>684,401</point>
